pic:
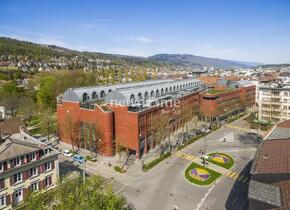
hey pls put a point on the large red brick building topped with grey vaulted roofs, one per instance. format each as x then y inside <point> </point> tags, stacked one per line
<point>122,113</point>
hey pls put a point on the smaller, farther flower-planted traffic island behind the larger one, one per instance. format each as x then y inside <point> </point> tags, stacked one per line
<point>221,159</point>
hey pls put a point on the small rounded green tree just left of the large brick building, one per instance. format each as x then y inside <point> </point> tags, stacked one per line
<point>48,123</point>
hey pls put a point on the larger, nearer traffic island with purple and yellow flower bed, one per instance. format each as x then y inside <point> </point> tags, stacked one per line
<point>200,175</point>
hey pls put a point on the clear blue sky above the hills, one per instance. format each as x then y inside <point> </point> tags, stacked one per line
<point>244,30</point>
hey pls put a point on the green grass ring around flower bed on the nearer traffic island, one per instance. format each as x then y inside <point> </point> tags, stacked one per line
<point>213,175</point>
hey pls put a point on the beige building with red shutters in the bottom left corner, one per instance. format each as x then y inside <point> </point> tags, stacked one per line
<point>25,165</point>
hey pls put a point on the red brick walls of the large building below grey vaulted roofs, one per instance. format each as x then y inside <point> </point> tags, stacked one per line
<point>119,124</point>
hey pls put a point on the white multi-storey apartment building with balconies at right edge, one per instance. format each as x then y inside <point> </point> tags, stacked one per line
<point>274,102</point>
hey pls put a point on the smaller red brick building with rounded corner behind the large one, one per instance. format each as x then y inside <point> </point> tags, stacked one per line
<point>226,99</point>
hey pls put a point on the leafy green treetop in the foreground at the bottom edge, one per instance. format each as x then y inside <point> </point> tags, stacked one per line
<point>73,194</point>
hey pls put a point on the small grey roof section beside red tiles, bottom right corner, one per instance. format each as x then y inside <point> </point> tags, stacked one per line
<point>264,193</point>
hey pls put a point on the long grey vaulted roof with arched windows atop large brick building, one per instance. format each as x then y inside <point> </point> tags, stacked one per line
<point>125,91</point>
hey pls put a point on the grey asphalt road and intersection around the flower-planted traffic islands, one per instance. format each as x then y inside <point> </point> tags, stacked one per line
<point>164,187</point>
